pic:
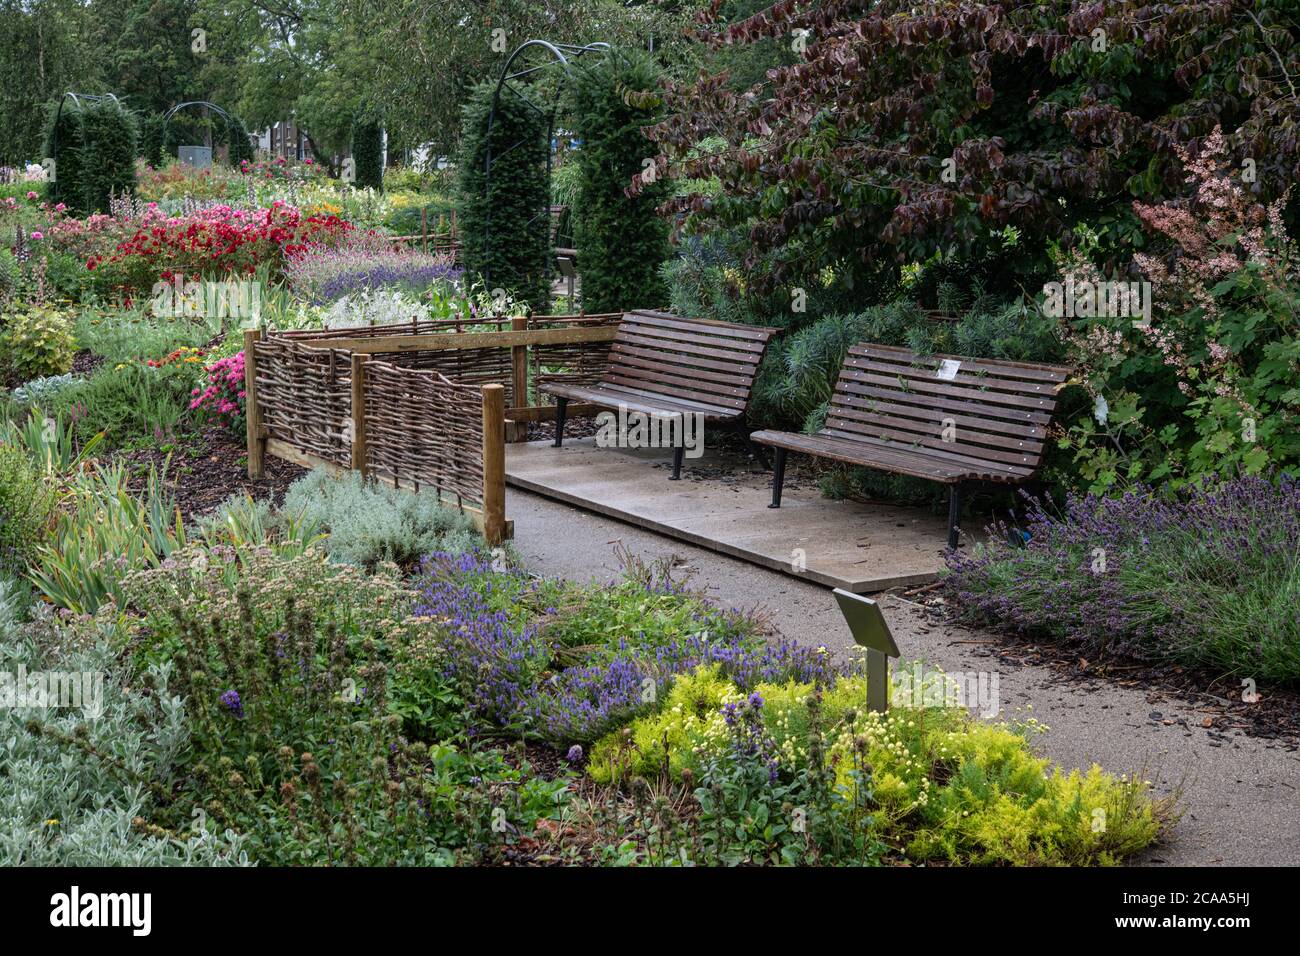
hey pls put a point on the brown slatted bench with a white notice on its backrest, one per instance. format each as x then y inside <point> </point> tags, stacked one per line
<point>944,418</point>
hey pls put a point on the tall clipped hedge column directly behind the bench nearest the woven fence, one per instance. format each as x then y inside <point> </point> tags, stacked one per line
<point>622,241</point>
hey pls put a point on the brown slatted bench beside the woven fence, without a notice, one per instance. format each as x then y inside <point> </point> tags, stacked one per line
<point>668,366</point>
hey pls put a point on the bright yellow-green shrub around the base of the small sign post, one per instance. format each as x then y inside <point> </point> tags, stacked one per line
<point>943,785</point>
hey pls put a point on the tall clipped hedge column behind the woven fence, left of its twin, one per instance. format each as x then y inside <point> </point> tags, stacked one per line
<point>504,228</point>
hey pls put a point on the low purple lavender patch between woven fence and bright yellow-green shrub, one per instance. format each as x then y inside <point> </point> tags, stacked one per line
<point>567,664</point>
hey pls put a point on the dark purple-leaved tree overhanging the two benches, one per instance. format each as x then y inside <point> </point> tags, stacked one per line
<point>909,133</point>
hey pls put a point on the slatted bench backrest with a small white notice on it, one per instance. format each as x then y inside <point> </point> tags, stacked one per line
<point>989,410</point>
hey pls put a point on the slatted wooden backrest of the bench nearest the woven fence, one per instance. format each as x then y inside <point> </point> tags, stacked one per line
<point>694,360</point>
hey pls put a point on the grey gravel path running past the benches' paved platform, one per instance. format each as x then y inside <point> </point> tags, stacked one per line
<point>1241,795</point>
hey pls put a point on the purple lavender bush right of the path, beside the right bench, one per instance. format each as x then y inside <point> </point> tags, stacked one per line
<point>1203,577</point>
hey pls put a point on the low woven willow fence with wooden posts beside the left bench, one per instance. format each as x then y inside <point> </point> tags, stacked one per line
<point>427,406</point>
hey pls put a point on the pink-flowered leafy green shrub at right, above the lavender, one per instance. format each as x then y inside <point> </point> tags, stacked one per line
<point>1210,384</point>
